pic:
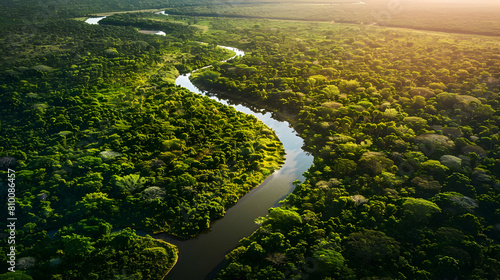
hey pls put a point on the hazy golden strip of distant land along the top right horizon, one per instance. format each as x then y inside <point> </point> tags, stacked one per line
<point>475,17</point>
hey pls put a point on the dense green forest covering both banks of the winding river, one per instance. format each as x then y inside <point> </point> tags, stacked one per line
<point>403,125</point>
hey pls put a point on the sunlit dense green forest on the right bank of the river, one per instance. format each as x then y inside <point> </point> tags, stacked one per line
<point>404,128</point>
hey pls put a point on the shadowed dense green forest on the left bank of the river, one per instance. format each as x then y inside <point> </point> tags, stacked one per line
<point>101,138</point>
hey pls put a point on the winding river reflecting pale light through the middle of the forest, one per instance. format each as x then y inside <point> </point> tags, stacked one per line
<point>203,256</point>
